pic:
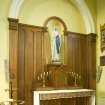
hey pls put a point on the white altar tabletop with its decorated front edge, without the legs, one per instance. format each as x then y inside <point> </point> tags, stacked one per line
<point>57,94</point>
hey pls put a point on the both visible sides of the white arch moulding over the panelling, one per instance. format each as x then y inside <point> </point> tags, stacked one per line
<point>80,4</point>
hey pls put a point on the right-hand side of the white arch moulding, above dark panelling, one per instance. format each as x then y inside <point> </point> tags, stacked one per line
<point>86,14</point>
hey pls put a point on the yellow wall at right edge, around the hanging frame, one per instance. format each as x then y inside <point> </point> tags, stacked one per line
<point>100,21</point>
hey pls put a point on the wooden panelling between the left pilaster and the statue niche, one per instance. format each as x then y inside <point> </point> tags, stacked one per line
<point>30,60</point>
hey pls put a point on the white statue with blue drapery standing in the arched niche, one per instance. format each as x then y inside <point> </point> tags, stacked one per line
<point>55,45</point>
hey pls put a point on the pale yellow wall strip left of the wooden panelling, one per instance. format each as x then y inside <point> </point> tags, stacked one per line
<point>4,54</point>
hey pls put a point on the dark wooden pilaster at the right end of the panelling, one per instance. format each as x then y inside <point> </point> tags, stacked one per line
<point>92,60</point>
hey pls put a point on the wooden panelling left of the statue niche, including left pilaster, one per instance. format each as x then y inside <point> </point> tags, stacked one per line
<point>26,59</point>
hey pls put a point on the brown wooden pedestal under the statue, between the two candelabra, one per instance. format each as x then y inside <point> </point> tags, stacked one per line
<point>57,74</point>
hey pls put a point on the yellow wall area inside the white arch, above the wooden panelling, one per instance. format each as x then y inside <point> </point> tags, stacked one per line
<point>36,13</point>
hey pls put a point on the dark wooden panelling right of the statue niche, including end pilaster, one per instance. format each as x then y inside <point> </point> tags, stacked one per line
<point>80,56</point>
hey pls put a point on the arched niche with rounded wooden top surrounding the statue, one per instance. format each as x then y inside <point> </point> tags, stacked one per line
<point>55,26</point>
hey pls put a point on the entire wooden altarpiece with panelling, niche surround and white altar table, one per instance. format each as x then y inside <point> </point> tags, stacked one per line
<point>32,67</point>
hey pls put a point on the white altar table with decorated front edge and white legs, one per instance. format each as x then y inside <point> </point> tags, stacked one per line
<point>62,94</point>
